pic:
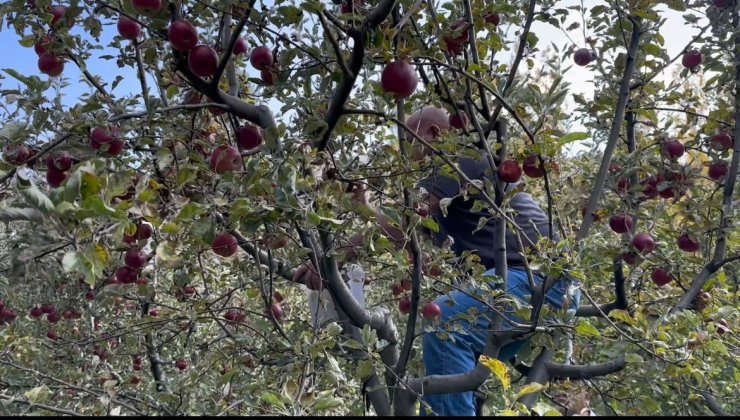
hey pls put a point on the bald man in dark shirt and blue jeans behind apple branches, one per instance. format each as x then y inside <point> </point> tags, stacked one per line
<point>459,353</point>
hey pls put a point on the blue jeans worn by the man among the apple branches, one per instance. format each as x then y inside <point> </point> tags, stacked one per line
<point>457,353</point>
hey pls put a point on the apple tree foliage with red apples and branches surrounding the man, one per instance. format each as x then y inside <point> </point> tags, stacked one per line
<point>149,235</point>
